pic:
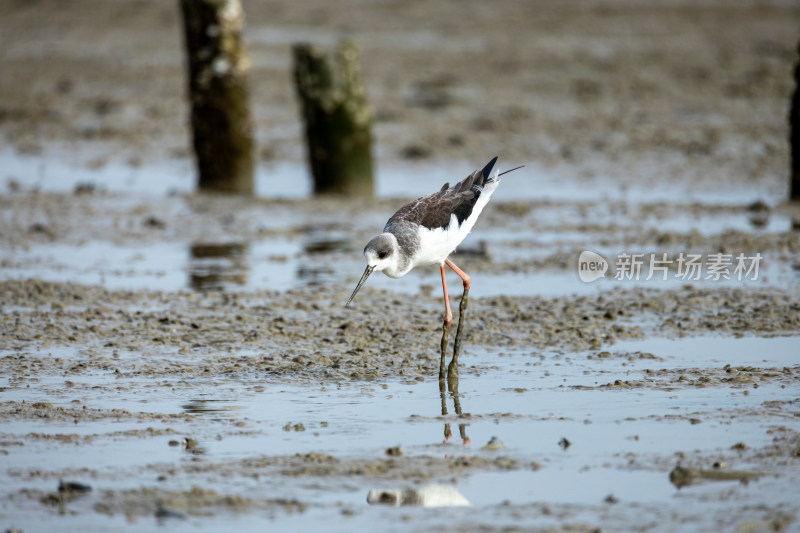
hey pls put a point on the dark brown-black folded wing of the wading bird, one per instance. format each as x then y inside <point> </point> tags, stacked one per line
<point>434,211</point>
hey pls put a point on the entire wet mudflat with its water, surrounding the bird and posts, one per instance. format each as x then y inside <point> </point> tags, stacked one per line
<point>170,359</point>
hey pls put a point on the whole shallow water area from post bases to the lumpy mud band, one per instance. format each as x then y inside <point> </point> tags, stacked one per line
<point>305,248</point>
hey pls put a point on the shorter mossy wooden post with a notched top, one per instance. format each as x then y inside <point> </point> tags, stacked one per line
<point>338,119</point>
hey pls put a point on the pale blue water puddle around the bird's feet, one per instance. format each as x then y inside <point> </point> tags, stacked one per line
<point>528,400</point>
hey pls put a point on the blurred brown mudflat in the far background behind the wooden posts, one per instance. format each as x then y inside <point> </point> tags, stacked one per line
<point>599,89</point>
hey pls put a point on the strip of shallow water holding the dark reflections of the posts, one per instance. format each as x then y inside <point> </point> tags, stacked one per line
<point>282,263</point>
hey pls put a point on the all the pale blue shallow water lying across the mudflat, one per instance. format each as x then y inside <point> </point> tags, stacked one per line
<point>623,440</point>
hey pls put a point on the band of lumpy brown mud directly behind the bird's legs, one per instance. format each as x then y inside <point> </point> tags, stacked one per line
<point>379,340</point>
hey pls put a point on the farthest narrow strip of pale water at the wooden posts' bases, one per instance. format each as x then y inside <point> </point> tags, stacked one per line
<point>61,170</point>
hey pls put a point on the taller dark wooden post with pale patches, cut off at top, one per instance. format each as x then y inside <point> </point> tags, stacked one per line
<point>220,100</point>
